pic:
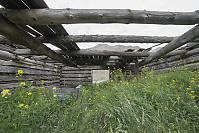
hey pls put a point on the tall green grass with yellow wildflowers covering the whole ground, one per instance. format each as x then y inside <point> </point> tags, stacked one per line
<point>153,103</point>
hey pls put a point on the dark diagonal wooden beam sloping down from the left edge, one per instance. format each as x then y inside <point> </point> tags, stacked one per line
<point>14,33</point>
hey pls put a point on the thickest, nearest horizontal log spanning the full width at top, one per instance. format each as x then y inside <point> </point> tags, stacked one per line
<point>70,16</point>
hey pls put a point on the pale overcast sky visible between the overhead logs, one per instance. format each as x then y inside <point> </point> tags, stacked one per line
<point>126,29</point>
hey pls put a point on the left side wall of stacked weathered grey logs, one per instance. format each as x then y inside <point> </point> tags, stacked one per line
<point>33,73</point>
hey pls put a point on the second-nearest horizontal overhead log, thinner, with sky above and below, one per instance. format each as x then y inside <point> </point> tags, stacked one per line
<point>104,38</point>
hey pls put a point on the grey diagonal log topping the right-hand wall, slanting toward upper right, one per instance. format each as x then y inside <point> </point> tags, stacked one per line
<point>181,40</point>
